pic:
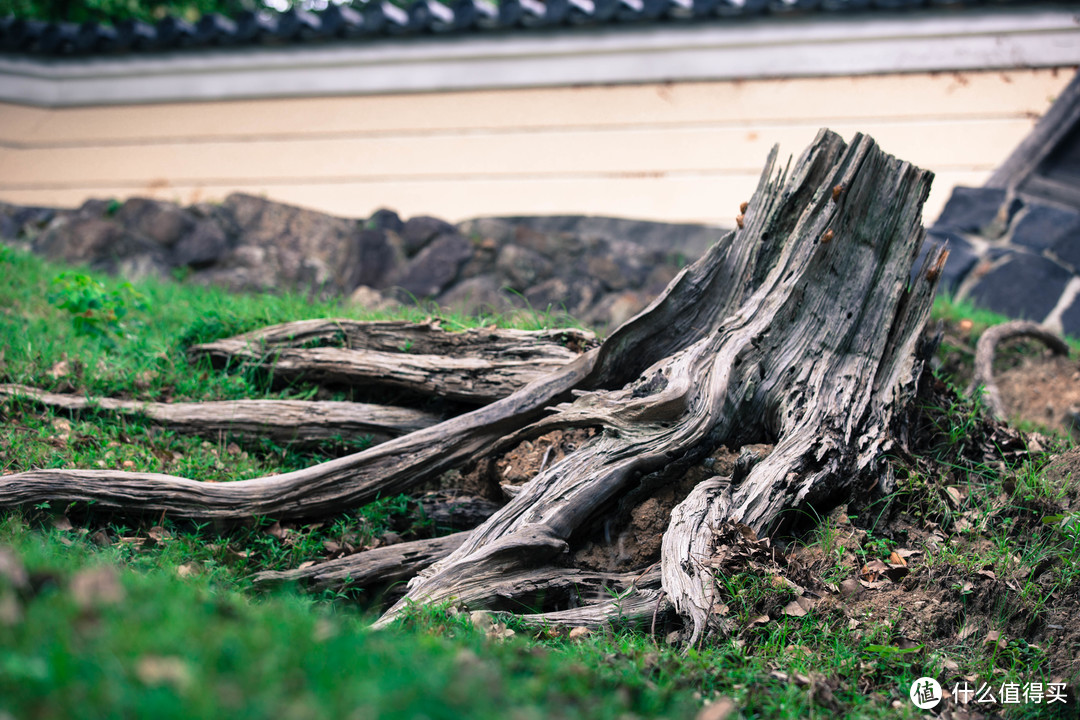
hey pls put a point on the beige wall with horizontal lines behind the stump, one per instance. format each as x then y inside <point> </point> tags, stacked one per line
<point>683,153</point>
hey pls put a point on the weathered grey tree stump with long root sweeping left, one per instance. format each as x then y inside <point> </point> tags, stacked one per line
<point>800,331</point>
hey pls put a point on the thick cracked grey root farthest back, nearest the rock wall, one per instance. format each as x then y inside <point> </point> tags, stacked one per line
<point>475,366</point>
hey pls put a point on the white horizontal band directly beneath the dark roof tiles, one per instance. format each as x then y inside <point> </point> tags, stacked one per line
<point>796,46</point>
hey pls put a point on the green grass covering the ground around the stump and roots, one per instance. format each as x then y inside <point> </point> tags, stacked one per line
<point>123,617</point>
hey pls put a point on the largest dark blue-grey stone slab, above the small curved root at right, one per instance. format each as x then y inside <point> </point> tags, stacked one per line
<point>1025,287</point>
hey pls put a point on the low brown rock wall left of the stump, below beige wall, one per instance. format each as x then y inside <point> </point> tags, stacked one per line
<point>601,271</point>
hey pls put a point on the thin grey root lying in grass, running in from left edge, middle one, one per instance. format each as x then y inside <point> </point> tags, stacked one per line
<point>283,422</point>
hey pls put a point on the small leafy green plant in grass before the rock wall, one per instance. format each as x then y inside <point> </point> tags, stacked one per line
<point>96,311</point>
